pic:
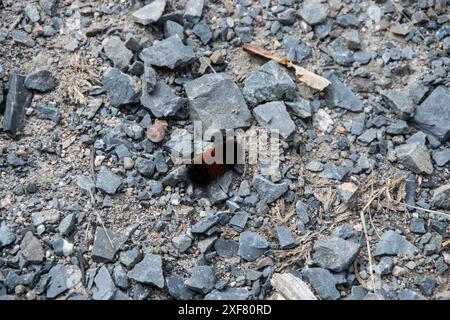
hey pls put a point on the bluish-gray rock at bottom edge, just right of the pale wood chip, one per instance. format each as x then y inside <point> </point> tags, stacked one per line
<point>323,282</point>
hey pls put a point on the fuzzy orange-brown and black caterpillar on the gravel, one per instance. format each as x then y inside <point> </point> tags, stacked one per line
<point>202,172</point>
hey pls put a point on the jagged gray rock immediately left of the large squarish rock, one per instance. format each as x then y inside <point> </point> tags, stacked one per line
<point>162,102</point>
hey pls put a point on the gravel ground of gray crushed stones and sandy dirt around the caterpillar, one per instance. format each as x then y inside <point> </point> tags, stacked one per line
<point>95,97</point>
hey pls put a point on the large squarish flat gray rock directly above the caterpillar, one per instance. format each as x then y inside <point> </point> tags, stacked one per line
<point>216,101</point>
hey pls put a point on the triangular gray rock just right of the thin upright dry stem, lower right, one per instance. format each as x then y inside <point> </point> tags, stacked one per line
<point>392,243</point>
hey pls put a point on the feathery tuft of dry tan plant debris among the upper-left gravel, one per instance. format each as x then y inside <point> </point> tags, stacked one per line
<point>77,80</point>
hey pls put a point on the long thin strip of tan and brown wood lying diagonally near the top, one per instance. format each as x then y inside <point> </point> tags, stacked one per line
<point>305,76</point>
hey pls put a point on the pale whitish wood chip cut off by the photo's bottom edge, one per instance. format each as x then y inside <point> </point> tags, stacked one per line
<point>291,287</point>
